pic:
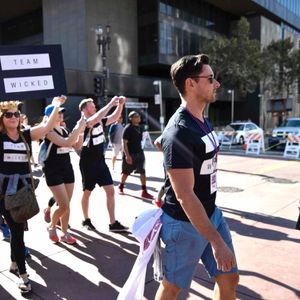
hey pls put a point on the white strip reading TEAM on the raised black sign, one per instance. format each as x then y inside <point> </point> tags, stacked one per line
<point>25,61</point>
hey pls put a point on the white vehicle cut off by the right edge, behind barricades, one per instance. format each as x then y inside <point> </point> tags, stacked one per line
<point>279,134</point>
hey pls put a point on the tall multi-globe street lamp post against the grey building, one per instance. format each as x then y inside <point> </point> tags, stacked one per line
<point>103,43</point>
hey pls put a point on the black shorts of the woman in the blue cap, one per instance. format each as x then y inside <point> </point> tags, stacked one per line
<point>59,175</point>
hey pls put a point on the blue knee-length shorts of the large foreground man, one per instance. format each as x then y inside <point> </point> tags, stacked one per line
<point>185,247</point>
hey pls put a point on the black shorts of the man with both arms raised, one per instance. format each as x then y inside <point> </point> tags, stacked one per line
<point>94,173</point>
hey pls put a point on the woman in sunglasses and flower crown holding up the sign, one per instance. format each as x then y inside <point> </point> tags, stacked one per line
<point>15,172</point>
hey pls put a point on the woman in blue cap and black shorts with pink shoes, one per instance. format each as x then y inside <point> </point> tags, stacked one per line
<point>59,172</point>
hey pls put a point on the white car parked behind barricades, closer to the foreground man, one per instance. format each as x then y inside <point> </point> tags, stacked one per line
<point>241,131</point>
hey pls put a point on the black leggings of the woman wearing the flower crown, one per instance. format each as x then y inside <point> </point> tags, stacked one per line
<point>17,246</point>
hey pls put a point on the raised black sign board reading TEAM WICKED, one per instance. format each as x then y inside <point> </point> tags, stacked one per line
<point>31,72</point>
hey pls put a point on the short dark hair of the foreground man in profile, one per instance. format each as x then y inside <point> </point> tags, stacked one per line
<point>185,67</point>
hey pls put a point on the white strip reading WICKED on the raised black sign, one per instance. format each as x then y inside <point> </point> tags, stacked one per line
<point>26,84</point>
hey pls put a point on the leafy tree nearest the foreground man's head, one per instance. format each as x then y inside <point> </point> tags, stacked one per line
<point>236,61</point>
